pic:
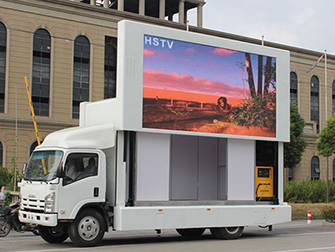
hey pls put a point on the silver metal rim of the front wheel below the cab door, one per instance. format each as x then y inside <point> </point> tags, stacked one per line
<point>88,228</point>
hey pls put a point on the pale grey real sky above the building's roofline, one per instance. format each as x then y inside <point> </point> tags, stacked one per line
<point>305,24</point>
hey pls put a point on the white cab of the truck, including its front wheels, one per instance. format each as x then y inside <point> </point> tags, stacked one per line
<point>61,181</point>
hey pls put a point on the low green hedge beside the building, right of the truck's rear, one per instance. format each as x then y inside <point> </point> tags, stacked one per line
<point>309,191</point>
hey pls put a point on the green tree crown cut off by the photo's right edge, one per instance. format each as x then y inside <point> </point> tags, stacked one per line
<point>326,138</point>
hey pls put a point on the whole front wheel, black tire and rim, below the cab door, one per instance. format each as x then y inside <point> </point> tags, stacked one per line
<point>88,229</point>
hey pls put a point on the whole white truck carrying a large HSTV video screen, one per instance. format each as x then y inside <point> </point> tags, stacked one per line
<point>185,144</point>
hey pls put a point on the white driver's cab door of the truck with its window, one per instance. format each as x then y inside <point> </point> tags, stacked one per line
<point>82,182</point>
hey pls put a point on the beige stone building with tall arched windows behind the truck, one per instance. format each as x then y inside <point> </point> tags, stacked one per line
<point>67,50</point>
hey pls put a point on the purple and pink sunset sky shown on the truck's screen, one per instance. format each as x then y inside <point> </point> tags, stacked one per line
<point>181,66</point>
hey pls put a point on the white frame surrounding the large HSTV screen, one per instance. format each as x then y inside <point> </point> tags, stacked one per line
<point>130,76</point>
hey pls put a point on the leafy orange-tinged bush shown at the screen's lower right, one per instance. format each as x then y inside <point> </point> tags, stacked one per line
<point>259,111</point>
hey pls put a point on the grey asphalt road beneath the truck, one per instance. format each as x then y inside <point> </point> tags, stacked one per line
<point>295,236</point>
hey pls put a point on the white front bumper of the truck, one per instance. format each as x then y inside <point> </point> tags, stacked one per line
<point>42,219</point>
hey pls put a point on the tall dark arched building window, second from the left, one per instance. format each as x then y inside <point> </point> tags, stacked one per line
<point>41,72</point>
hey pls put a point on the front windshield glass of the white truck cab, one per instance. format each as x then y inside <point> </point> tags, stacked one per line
<point>43,165</point>
